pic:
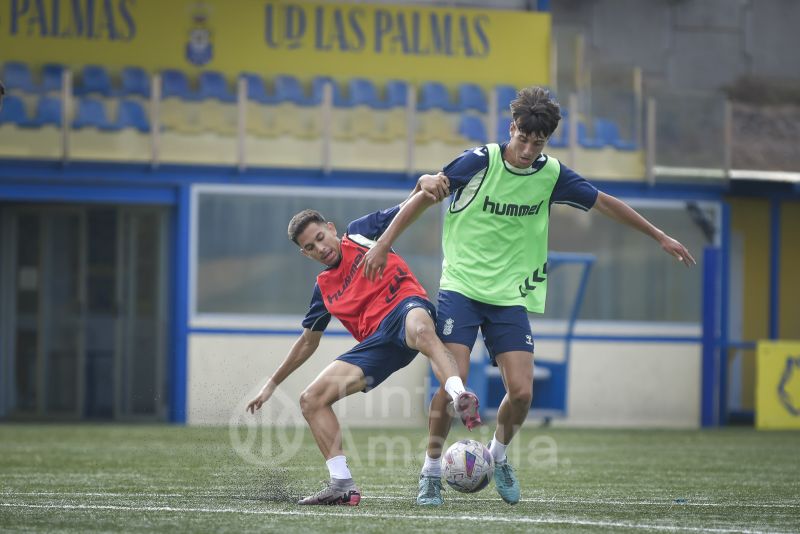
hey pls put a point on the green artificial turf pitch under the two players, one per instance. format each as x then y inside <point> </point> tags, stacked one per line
<point>84,478</point>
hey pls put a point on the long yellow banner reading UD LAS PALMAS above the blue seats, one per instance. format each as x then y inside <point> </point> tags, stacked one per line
<point>272,37</point>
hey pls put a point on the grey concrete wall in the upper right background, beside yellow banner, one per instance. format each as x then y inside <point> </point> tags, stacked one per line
<point>688,44</point>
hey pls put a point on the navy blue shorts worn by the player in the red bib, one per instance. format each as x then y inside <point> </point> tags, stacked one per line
<point>385,351</point>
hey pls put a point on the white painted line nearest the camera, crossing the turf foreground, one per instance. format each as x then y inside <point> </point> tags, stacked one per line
<point>359,513</point>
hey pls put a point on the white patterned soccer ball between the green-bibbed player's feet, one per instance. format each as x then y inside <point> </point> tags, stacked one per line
<point>468,466</point>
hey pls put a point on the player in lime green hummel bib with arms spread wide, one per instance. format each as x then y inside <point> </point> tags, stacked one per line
<point>495,264</point>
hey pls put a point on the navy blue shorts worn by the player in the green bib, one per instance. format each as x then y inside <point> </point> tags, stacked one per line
<point>504,328</point>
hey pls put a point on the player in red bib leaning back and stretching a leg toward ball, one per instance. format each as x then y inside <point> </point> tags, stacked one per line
<point>392,319</point>
